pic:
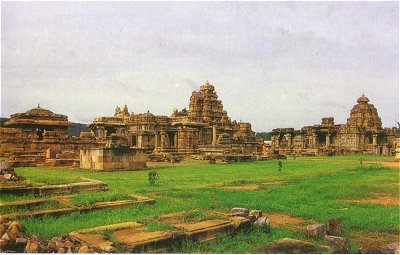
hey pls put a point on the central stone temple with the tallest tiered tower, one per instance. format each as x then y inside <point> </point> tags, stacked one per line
<point>203,128</point>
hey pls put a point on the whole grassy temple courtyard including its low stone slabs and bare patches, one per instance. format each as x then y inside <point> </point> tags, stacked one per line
<point>361,191</point>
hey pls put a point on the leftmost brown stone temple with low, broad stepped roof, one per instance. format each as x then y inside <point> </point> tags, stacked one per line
<point>39,135</point>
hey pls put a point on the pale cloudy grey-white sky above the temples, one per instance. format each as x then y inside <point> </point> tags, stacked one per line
<point>273,64</point>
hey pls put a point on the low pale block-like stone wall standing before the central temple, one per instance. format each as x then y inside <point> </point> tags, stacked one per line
<point>112,159</point>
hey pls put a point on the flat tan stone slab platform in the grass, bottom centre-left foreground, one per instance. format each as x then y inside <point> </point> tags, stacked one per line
<point>134,238</point>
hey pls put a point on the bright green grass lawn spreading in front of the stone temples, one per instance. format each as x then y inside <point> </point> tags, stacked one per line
<point>313,188</point>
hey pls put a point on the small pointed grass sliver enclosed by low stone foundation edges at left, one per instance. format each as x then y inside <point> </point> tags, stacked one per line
<point>89,198</point>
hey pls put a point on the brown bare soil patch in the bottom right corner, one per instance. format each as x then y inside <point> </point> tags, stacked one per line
<point>374,242</point>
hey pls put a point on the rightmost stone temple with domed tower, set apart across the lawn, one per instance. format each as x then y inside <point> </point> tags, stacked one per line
<point>363,133</point>
